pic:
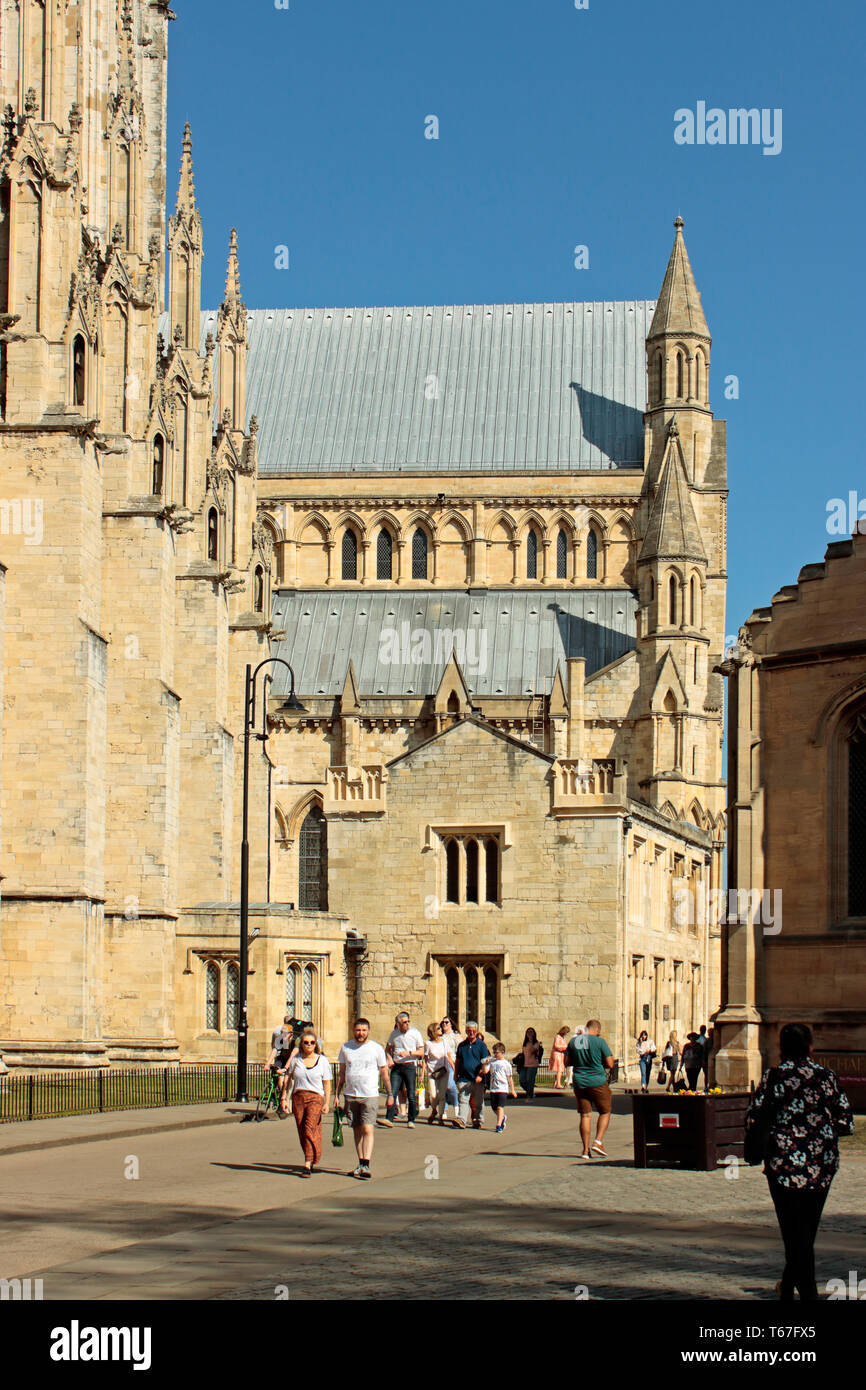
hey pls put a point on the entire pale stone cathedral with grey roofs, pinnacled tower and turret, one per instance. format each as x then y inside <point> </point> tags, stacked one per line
<point>490,543</point>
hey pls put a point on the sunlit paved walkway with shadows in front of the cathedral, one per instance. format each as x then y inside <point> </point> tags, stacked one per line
<point>219,1213</point>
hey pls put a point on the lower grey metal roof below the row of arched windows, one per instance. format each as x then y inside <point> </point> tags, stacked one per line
<point>508,641</point>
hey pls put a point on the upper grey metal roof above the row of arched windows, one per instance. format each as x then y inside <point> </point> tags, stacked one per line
<point>448,389</point>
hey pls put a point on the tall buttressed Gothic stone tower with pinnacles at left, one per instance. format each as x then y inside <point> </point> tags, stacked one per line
<point>131,603</point>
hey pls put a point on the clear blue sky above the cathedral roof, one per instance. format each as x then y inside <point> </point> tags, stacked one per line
<point>557,129</point>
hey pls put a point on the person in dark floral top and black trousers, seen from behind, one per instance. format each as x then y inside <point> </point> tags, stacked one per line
<point>808,1113</point>
